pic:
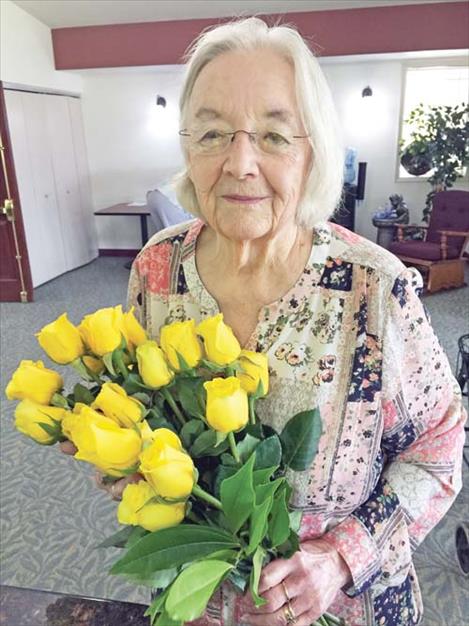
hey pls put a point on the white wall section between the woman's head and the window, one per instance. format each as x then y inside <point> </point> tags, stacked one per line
<point>371,125</point>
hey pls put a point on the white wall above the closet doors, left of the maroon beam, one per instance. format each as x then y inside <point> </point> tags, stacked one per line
<point>26,54</point>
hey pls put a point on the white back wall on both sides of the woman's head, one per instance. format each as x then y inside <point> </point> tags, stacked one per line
<point>132,150</point>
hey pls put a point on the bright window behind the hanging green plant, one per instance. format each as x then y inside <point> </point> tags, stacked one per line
<point>447,86</point>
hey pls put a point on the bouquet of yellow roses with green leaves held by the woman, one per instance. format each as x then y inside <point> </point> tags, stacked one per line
<point>212,503</point>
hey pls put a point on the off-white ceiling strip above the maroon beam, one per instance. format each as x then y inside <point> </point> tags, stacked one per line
<point>63,13</point>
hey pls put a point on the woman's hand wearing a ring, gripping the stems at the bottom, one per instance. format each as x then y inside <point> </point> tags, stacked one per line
<point>310,580</point>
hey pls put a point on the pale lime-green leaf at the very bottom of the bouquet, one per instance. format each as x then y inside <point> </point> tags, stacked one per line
<point>193,588</point>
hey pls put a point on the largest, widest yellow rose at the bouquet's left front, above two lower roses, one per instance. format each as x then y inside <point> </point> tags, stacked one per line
<point>102,442</point>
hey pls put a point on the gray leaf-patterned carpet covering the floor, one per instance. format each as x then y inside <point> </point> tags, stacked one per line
<point>52,515</point>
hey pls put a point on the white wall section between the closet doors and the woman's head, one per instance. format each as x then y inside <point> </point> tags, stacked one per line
<point>133,145</point>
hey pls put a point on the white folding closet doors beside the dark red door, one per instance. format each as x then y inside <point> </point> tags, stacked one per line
<point>51,167</point>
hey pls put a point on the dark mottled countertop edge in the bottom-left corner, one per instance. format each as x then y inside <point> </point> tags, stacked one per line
<point>31,607</point>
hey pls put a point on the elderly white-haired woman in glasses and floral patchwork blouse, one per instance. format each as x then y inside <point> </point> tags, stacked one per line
<point>338,316</point>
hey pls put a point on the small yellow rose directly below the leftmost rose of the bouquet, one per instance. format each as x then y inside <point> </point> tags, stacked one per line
<point>29,416</point>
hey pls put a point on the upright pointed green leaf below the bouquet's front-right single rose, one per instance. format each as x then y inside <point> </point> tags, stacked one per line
<point>237,495</point>
